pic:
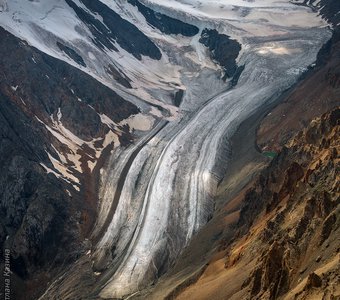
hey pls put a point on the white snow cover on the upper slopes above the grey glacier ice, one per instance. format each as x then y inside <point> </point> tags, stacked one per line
<point>44,23</point>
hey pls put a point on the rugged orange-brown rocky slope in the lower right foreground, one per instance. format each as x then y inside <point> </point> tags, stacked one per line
<point>285,243</point>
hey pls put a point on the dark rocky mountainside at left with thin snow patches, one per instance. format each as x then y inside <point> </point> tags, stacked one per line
<point>42,209</point>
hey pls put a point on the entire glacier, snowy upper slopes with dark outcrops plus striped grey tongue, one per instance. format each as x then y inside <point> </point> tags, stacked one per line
<point>226,59</point>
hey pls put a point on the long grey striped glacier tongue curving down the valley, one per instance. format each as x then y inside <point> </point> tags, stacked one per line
<point>182,177</point>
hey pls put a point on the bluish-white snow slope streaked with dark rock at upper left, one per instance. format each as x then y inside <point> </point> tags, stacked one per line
<point>44,23</point>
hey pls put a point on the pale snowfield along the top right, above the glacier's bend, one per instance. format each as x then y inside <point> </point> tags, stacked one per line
<point>239,18</point>
